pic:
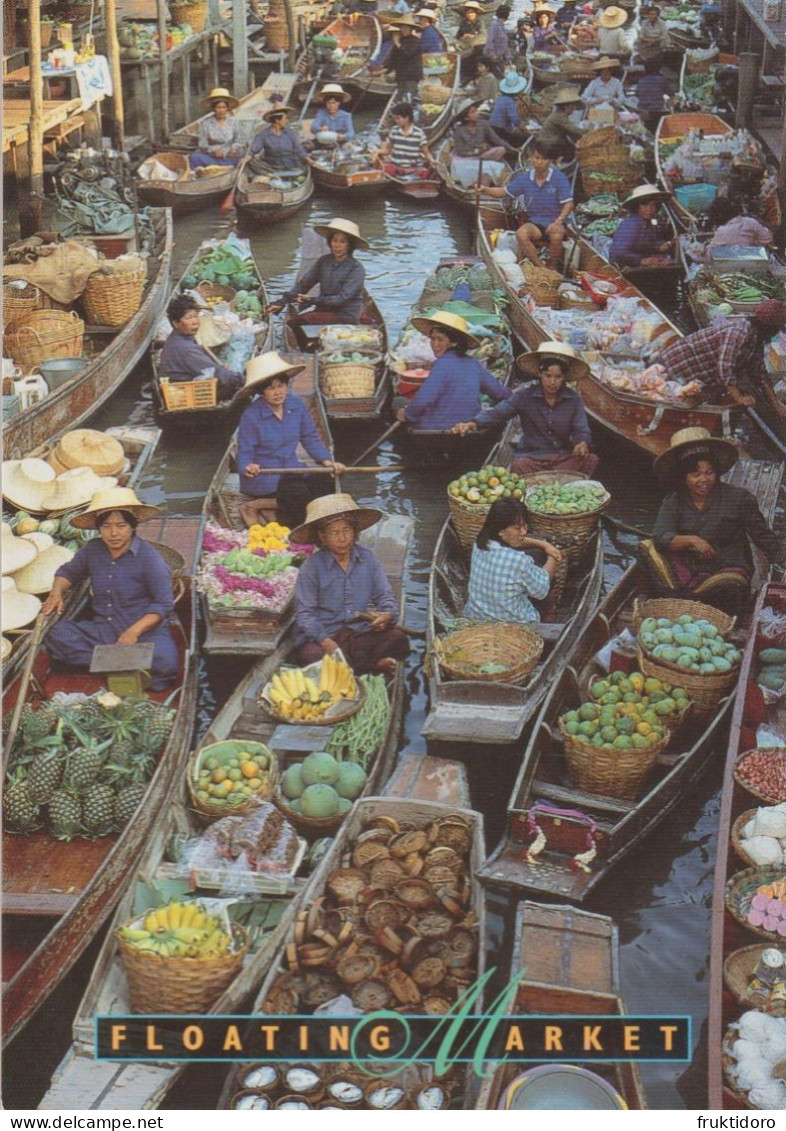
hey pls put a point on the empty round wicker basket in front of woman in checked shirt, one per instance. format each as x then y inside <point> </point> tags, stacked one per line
<point>463,653</point>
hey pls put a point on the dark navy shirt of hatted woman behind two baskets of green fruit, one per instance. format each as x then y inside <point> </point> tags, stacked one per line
<point>545,430</point>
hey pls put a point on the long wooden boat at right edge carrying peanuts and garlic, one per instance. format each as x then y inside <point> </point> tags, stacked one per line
<point>728,936</point>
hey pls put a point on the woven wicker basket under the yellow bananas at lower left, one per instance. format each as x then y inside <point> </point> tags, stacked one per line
<point>179,986</point>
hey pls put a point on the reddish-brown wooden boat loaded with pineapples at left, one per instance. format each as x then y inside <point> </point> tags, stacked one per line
<point>57,900</point>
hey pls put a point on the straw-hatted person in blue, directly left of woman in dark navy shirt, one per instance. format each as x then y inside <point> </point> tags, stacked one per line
<point>453,390</point>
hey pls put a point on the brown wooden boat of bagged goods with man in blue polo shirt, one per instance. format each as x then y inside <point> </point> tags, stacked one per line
<point>647,424</point>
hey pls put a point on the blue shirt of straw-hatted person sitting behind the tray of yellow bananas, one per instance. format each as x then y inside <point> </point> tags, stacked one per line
<point>327,598</point>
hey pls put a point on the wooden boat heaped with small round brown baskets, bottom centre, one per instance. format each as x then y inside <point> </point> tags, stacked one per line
<point>398,814</point>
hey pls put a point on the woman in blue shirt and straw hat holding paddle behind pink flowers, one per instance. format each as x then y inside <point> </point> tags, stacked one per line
<point>270,433</point>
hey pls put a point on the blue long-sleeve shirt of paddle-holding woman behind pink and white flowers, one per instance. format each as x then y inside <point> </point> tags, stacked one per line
<point>265,439</point>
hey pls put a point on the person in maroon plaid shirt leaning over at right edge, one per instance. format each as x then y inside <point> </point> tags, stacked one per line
<point>730,357</point>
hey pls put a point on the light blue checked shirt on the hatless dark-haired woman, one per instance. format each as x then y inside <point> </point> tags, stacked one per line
<point>502,583</point>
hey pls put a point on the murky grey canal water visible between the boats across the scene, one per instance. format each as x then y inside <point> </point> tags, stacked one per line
<point>661,897</point>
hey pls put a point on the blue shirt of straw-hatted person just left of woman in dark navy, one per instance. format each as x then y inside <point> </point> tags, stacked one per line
<point>452,393</point>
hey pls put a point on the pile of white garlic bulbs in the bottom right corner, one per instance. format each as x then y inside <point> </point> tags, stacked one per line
<point>758,1052</point>
